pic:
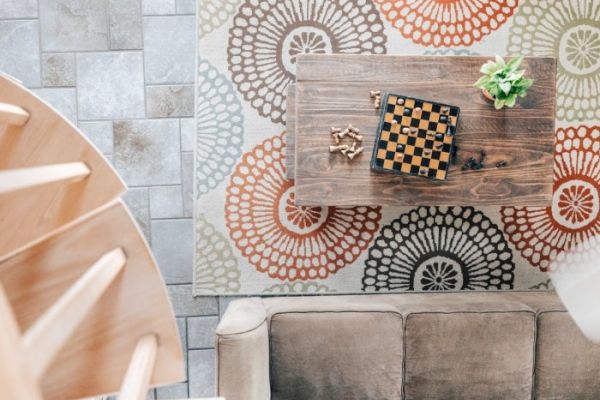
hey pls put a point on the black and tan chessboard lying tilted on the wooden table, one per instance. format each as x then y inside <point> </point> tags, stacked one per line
<point>414,137</point>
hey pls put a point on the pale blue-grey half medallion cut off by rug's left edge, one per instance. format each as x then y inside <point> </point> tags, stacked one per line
<point>219,128</point>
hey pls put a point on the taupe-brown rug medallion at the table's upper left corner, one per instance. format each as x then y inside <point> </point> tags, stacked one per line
<point>268,35</point>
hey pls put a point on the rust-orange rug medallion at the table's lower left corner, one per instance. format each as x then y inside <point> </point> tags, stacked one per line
<point>281,239</point>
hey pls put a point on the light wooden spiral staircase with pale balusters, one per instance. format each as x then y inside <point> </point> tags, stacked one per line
<point>83,307</point>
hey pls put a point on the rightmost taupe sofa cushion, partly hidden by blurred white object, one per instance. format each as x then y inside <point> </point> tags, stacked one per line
<point>568,365</point>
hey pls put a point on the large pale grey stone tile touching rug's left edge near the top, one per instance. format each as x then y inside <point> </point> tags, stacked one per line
<point>169,44</point>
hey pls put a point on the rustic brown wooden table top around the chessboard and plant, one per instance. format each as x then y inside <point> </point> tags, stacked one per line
<point>333,90</point>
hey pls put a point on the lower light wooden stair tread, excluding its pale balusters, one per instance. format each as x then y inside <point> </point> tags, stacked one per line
<point>135,304</point>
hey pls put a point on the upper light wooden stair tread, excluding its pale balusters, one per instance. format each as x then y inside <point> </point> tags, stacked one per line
<point>47,139</point>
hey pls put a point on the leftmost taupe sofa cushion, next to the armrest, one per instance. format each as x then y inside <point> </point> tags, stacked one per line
<point>336,355</point>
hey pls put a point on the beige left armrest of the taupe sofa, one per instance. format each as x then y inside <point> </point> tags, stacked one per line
<point>242,345</point>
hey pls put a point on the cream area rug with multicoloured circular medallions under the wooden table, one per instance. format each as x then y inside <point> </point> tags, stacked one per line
<point>250,236</point>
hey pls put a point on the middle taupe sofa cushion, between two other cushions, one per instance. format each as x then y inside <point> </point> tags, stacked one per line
<point>469,355</point>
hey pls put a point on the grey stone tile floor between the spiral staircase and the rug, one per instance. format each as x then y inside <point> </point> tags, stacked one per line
<point>123,71</point>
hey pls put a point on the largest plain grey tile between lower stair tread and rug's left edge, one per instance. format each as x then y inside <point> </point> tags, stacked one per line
<point>172,244</point>
